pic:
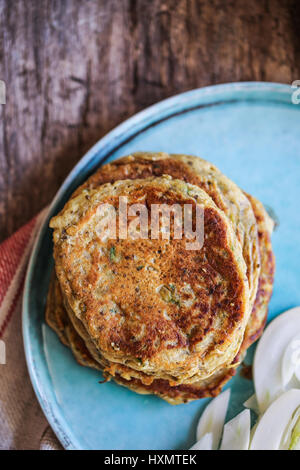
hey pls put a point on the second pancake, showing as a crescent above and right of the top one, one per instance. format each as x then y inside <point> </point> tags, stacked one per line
<point>227,195</point>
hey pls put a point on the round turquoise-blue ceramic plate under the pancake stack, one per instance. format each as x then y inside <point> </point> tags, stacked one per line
<point>251,132</point>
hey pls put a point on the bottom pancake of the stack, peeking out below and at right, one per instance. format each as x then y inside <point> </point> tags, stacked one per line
<point>162,388</point>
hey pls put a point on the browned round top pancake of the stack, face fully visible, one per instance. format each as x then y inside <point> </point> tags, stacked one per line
<point>191,331</point>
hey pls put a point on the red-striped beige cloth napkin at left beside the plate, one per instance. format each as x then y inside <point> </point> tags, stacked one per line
<point>22,423</point>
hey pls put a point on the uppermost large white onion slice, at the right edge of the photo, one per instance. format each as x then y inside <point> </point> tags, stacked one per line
<point>267,369</point>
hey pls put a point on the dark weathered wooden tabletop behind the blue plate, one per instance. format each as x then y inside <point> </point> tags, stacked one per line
<point>74,69</point>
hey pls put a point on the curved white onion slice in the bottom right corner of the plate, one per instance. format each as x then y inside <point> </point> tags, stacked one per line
<point>274,422</point>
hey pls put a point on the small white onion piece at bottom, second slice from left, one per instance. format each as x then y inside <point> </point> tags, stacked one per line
<point>236,433</point>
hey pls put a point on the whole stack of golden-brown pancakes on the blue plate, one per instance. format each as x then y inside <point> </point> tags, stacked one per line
<point>149,313</point>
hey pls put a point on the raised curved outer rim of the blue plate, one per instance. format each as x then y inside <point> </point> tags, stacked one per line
<point>136,124</point>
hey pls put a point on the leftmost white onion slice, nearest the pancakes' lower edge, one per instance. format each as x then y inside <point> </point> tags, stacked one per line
<point>213,418</point>
